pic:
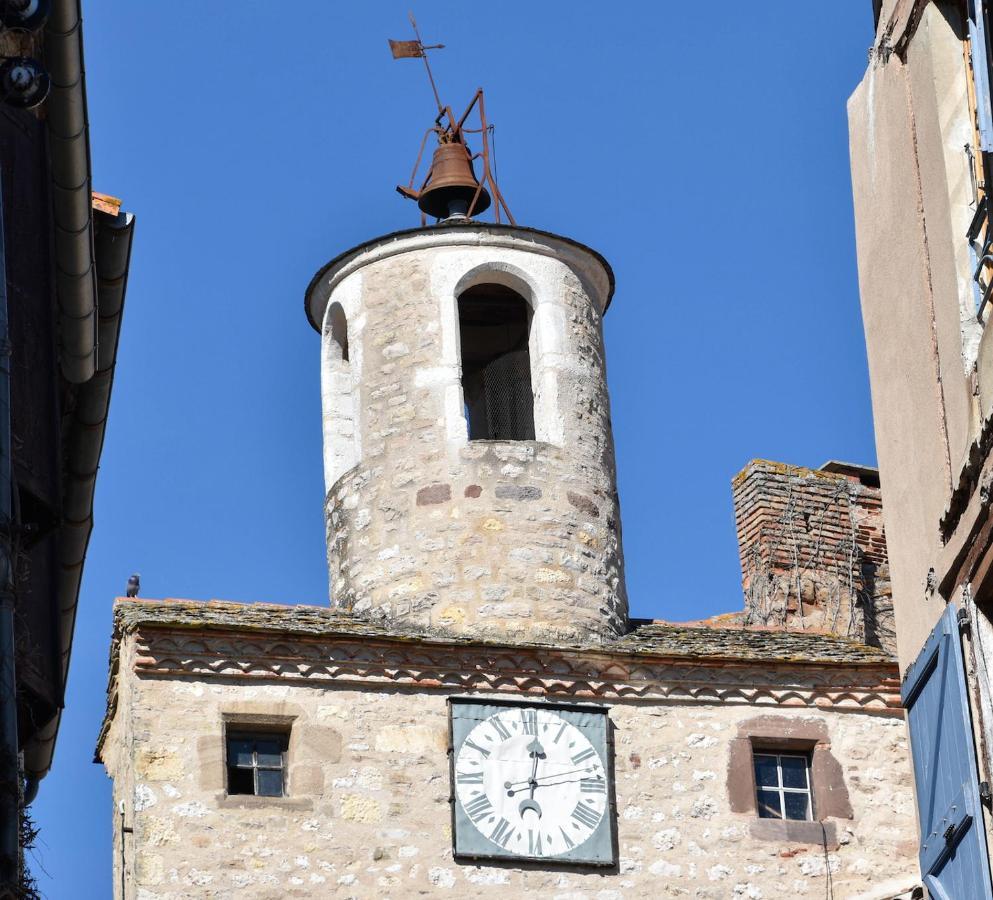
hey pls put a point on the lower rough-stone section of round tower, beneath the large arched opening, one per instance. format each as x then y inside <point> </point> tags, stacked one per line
<point>517,543</point>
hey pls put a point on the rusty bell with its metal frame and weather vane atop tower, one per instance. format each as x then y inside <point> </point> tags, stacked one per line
<point>450,190</point>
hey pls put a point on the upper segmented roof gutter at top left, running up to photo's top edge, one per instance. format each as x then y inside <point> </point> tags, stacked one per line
<point>69,147</point>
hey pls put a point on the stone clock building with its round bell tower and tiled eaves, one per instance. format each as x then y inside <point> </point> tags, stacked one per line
<point>476,712</point>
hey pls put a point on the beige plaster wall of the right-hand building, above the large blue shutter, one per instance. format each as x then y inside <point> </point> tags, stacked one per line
<point>909,120</point>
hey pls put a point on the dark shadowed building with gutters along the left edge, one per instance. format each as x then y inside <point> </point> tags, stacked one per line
<point>64,257</point>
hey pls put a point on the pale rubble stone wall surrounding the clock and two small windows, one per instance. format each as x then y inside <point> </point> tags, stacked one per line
<point>368,815</point>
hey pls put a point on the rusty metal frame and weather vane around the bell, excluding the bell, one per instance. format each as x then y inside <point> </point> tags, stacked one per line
<point>449,130</point>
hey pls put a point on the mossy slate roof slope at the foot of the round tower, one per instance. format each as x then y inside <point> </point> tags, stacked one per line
<point>648,637</point>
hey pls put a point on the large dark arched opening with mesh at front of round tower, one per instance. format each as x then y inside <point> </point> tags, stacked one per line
<point>494,326</point>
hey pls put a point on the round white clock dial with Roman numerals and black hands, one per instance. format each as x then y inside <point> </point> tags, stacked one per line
<point>530,782</point>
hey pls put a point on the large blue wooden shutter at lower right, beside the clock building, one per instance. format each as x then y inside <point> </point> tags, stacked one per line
<point>953,854</point>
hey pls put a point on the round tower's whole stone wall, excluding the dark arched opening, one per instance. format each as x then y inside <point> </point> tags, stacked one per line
<point>495,538</point>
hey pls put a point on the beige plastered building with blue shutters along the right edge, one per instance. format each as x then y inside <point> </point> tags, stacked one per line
<point>920,141</point>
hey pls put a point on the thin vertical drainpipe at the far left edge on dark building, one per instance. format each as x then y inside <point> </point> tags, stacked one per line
<point>10,818</point>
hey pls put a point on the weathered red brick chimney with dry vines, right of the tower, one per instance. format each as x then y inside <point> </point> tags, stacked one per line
<point>813,549</point>
